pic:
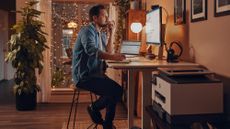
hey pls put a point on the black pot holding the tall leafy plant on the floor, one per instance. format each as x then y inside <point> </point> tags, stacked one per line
<point>26,101</point>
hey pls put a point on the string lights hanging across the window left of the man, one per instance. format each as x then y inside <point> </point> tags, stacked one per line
<point>67,15</point>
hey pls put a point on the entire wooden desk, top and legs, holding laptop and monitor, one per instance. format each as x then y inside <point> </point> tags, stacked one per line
<point>146,67</point>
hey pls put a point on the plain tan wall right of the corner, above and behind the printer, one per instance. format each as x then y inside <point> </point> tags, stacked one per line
<point>210,40</point>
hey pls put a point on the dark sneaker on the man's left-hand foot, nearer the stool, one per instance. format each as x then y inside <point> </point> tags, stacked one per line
<point>95,115</point>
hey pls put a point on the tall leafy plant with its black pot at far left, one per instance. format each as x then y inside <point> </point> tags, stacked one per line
<point>25,53</point>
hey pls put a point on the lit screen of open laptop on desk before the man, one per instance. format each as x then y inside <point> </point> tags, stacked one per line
<point>130,47</point>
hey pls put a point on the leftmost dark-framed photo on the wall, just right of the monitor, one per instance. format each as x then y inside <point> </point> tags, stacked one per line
<point>179,12</point>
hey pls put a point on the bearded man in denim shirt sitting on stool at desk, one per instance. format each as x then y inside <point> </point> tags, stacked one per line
<point>90,51</point>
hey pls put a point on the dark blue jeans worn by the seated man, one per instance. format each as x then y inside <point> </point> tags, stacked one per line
<point>109,91</point>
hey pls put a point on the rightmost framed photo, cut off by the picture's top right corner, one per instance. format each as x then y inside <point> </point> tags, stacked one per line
<point>222,7</point>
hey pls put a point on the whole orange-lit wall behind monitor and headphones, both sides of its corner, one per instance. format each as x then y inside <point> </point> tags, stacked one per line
<point>205,42</point>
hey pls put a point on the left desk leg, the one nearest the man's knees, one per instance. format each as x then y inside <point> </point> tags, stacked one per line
<point>131,98</point>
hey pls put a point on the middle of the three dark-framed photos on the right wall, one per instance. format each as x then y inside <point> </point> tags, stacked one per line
<point>198,10</point>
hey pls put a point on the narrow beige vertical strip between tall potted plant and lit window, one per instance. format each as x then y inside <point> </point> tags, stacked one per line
<point>44,79</point>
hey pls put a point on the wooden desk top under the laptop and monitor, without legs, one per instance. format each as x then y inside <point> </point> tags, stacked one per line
<point>141,62</point>
